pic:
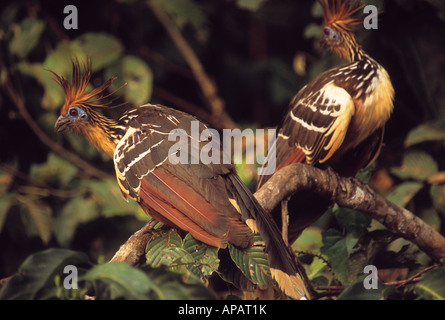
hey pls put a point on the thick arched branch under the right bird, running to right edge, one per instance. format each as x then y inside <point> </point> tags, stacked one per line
<point>353,194</point>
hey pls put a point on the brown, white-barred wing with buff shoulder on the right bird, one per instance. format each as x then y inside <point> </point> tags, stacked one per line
<point>314,127</point>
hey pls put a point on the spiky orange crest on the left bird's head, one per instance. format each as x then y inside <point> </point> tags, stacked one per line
<point>75,93</point>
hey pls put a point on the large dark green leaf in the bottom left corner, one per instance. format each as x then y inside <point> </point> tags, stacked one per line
<point>35,277</point>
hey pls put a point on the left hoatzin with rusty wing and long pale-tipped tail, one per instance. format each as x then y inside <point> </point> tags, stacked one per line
<point>207,200</point>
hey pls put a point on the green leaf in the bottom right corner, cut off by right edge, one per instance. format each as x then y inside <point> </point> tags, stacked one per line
<point>432,286</point>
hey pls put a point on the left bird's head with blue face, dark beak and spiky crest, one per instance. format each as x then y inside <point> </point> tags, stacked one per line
<point>77,113</point>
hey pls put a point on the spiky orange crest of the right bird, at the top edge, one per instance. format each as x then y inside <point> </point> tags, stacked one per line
<point>339,12</point>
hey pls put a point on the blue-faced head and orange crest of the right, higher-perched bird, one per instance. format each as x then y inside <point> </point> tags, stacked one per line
<point>337,35</point>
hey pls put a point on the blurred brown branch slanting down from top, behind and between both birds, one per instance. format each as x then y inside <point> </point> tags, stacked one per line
<point>208,88</point>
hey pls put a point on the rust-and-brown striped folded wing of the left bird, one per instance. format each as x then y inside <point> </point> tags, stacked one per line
<point>191,196</point>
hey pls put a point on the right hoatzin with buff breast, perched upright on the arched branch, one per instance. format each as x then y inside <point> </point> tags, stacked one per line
<point>337,120</point>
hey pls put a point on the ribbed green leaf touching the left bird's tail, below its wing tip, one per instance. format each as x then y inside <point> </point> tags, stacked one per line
<point>252,262</point>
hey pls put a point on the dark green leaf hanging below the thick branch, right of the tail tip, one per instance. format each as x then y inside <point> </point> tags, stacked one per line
<point>335,249</point>
